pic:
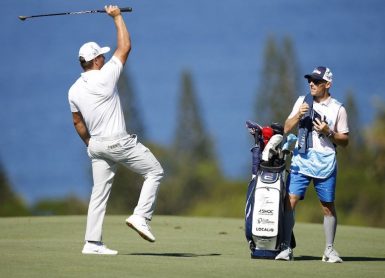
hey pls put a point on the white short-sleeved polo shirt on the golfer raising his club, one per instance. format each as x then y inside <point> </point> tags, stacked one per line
<point>96,97</point>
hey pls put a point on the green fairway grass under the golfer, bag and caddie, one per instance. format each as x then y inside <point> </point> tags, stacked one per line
<point>185,247</point>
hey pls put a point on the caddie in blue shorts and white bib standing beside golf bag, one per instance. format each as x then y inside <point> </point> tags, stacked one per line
<point>323,124</point>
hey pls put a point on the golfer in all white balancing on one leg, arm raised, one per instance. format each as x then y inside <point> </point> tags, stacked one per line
<point>98,119</point>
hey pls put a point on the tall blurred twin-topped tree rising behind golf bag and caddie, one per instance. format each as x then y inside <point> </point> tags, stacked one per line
<point>278,87</point>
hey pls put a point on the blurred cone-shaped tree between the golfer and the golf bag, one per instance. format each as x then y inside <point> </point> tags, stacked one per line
<point>194,169</point>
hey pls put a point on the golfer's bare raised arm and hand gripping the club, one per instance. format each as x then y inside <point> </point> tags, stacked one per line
<point>123,37</point>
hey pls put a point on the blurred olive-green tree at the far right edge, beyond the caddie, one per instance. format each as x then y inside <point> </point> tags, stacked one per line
<point>365,179</point>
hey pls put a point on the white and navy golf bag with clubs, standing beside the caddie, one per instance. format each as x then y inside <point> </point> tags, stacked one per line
<point>265,196</point>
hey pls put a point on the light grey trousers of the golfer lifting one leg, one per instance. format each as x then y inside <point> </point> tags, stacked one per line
<point>105,153</point>
